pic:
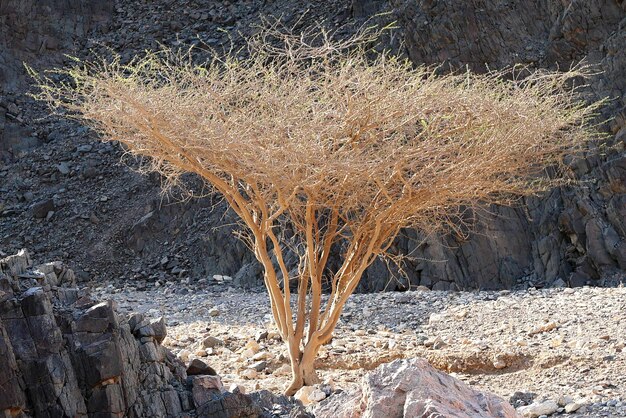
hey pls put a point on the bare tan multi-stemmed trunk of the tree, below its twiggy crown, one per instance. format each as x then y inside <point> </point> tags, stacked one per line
<point>365,243</point>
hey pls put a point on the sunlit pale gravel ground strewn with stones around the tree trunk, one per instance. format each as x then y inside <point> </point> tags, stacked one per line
<point>549,344</point>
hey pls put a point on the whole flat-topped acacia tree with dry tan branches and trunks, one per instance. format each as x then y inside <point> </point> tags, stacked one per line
<point>339,147</point>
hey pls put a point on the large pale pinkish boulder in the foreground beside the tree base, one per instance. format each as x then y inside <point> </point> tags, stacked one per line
<point>413,389</point>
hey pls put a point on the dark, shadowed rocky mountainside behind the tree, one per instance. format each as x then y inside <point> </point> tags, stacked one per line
<point>65,195</point>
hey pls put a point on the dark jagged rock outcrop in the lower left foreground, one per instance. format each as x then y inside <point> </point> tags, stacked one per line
<point>64,355</point>
